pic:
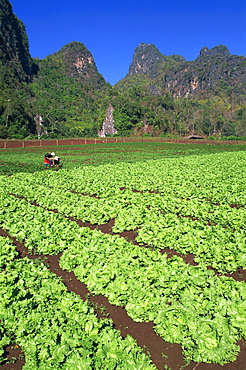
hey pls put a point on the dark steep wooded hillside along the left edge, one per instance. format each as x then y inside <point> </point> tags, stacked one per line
<point>16,72</point>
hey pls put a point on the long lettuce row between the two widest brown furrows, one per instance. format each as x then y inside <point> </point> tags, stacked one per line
<point>188,304</point>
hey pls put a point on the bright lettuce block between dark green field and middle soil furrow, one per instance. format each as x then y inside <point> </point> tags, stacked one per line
<point>192,205</point>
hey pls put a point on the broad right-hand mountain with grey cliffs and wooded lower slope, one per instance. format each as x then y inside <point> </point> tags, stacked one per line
<point>206,96</point>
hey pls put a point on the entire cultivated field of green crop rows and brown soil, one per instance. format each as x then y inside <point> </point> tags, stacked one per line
<point>156,230</point>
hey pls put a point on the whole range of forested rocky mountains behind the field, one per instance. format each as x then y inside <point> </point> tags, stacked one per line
<point>64,95</point>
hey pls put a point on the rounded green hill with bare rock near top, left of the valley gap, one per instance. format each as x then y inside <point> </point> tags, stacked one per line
<point>69,92</point>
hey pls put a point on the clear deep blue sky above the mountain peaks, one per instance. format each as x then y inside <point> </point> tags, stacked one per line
<point>112,29</point>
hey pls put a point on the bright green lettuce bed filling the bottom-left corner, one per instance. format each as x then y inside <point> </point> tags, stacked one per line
<point>55,328</point>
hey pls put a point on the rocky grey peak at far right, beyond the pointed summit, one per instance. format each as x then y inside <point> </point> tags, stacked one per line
<point>213,69</point>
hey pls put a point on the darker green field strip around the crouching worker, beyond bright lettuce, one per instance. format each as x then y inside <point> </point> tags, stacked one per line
<point>31,159</point>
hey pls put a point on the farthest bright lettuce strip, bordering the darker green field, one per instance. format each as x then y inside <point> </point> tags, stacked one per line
<point>217,177</point>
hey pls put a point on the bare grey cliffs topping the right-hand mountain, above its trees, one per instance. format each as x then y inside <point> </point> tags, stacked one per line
<point>212,70</point>
